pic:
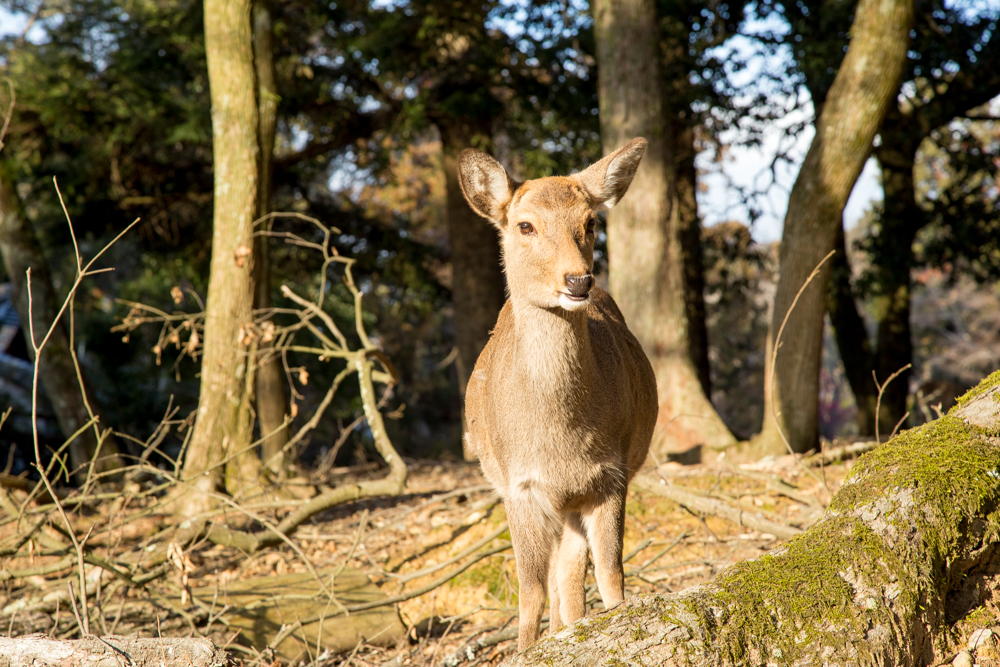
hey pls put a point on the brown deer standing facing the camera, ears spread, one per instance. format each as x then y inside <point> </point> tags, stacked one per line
<point>561,404</point>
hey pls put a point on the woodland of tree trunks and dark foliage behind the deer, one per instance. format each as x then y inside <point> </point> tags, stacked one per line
<point>291,168</point>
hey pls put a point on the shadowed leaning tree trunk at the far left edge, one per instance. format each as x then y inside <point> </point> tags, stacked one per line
<point>20,250</point>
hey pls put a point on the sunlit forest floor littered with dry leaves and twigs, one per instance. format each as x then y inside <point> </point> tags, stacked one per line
<point>449,525</point>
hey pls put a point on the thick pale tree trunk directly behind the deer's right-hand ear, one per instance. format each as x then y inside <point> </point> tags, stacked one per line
<point>646,230</point>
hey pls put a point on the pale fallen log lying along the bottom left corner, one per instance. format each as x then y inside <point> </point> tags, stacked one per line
<point>111,651</point>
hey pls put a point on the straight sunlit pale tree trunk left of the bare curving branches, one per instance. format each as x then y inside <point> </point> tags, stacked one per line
<point>223,420</point>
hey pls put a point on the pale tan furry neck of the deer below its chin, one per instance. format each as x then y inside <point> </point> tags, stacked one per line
<point>552,350</point>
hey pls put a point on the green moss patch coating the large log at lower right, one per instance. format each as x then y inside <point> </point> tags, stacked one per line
<point>819,580</point>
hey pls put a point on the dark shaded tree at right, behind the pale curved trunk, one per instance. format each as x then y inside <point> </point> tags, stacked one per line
<point>951,70</point>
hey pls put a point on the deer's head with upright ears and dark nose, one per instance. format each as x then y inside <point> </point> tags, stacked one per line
<point>548,224</point>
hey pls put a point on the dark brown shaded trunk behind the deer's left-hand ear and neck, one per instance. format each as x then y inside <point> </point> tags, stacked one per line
<point>477,284</point>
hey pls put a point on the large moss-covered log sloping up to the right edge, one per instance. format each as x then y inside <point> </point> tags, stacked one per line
<point>908,546</point>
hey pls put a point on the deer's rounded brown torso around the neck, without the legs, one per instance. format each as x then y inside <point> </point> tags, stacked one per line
<point>570,434</point>
